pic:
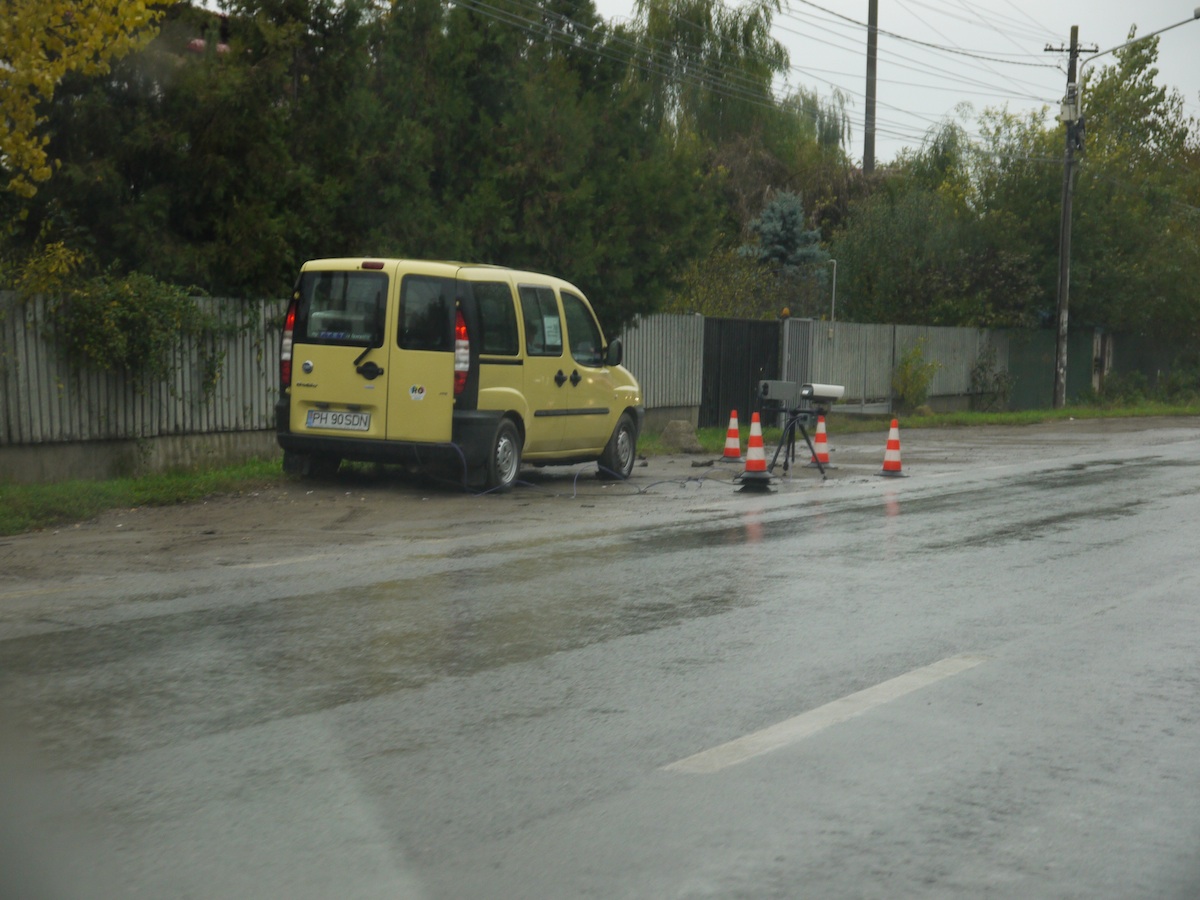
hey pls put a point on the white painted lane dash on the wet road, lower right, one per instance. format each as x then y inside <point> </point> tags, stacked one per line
<point>808,724</point>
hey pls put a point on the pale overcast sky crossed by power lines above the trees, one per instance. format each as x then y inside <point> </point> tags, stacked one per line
<point>921,86</point>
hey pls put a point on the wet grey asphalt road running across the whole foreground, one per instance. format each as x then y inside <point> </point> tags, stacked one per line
<point>980,680</point>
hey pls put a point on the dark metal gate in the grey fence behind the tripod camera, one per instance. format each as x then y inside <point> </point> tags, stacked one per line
<point>739,355</point>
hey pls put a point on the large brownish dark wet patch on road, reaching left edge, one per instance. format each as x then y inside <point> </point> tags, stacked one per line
<point>105,692</point>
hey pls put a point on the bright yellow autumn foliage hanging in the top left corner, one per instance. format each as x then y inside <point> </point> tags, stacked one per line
<point>41,41</point>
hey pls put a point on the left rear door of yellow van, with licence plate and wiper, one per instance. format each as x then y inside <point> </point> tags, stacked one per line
<point>338,343</point>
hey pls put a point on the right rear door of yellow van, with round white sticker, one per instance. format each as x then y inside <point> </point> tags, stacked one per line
<point>421,406</point>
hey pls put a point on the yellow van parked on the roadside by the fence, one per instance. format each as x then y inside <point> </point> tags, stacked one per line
<point>485,368</point>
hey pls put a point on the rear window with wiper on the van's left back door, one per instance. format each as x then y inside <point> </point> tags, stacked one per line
<point>341,309</point>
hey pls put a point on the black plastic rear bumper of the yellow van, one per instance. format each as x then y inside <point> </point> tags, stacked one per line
<point>470,443</point>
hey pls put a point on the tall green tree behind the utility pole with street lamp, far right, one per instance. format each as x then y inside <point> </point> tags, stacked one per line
<point>1136,261</point>
